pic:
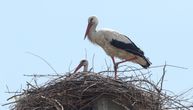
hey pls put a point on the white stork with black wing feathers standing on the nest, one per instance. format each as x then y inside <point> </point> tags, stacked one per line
<point>115,45</point>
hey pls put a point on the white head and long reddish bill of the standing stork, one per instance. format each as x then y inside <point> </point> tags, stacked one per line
<point>92,21</point>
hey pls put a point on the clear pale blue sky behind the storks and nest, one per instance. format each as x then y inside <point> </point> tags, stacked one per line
<point>54,30</point>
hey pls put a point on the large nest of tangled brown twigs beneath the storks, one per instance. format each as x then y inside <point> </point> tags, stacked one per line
<point>81,91</point>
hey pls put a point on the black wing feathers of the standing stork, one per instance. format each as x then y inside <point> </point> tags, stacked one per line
<point>129,47</point>
